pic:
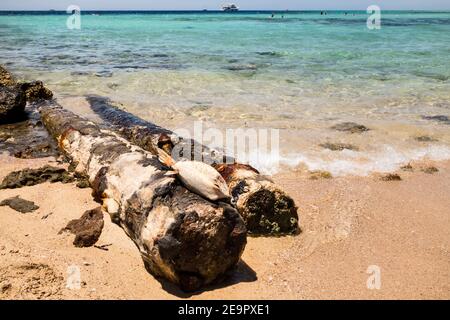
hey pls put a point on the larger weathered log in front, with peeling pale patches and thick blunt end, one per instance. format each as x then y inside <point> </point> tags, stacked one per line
<point>181,236</point>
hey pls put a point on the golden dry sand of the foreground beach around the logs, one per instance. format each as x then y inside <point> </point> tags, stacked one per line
<point>348,224</point>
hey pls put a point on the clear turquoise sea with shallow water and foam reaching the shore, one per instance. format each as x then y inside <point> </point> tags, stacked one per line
<point>300,72</point>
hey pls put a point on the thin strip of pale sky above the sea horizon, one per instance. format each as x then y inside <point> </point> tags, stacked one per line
<point>215,4</point>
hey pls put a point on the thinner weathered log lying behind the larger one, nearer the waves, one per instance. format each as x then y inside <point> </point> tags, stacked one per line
<point>265,207</point>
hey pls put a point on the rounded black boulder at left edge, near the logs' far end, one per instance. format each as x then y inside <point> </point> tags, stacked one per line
<point>12,104</point>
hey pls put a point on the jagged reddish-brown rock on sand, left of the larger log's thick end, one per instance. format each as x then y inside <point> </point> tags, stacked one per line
<point>87,229</point>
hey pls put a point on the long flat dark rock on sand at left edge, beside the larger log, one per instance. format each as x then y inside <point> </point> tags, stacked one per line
<point>31,177</point>
